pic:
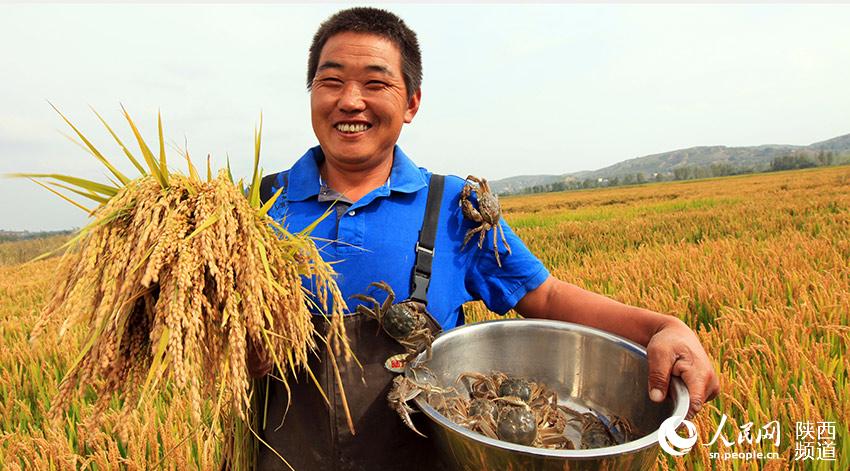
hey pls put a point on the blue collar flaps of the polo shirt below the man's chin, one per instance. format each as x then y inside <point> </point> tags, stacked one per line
<point>405,176</point>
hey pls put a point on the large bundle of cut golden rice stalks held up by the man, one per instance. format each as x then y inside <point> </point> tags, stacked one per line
<point>175,279</point>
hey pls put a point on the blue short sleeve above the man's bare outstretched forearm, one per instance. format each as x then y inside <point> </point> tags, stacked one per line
<point>501,288</point>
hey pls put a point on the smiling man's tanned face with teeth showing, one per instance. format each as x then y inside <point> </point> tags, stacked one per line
<point>359,101</point>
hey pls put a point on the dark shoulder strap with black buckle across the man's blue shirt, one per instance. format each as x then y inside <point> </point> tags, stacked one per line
<point>427,237</point>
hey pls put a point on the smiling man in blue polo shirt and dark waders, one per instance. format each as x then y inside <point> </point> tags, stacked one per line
<point>364,74</point>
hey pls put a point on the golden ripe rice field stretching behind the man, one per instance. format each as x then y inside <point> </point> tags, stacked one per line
<point>758,265</point>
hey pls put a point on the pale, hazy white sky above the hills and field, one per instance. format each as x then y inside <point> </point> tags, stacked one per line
<point>507,89</point>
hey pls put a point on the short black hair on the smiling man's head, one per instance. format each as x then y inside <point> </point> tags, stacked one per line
<point>371,21</point>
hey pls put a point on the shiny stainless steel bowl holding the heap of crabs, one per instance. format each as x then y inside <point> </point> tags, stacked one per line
<point>589,370</point>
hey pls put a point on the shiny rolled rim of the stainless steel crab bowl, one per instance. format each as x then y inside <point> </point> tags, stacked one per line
<point>677,392</point>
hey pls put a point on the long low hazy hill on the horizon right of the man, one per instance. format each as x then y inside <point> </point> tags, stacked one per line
<point>665,163</point>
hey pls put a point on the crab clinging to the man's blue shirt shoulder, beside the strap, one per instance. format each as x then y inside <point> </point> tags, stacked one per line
<point>487,214</point>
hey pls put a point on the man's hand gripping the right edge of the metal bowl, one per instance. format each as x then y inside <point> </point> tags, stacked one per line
<point>676,350</point>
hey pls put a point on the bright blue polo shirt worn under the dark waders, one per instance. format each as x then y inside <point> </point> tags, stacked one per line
<point>374,239</point>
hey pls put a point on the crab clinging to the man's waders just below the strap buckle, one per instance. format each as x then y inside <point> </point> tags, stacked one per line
<point>406,321</point>
